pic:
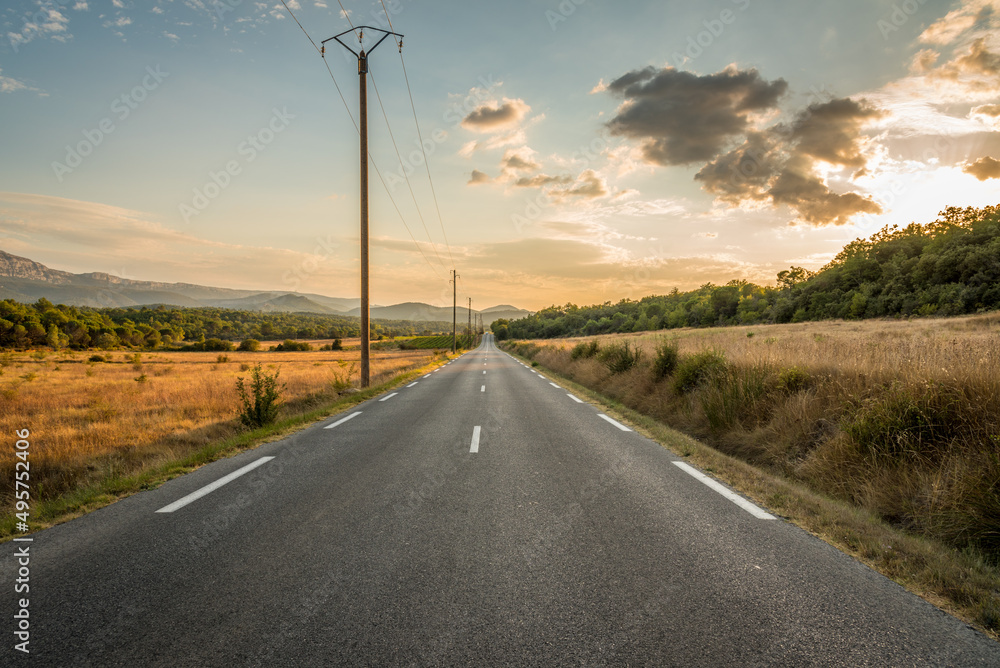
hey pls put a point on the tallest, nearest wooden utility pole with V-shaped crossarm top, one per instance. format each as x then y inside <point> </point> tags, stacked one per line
<point>363,131</point>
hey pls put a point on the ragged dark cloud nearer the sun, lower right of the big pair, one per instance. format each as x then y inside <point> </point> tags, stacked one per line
<point>780,163</point>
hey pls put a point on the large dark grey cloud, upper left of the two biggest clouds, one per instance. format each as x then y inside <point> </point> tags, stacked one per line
<point>681,118</point>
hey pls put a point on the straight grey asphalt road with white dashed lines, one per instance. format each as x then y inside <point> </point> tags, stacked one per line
<point>480,517</point>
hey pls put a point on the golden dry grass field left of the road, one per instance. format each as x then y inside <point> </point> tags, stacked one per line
<point>90,421</point>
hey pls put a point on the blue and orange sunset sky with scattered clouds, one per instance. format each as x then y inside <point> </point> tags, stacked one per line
<point>550,151</point>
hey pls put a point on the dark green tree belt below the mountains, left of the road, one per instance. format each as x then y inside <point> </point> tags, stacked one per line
<point>60,326</point>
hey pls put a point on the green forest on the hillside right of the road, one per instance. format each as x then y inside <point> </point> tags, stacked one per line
<point>948,267</point>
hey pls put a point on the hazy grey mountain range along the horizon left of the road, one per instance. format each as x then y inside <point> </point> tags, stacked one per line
<point>28,281</point>
